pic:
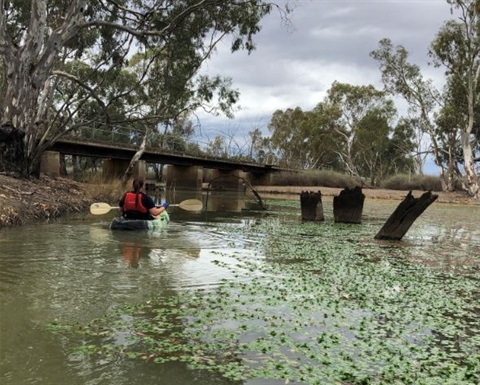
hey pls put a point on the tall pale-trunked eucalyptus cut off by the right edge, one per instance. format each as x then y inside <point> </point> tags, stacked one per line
<point>457,48</point>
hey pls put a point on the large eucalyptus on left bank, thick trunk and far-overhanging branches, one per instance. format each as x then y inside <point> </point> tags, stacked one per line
<point>39,38</point>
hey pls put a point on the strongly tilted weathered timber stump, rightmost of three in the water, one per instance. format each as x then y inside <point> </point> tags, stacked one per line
<point>405,214</point>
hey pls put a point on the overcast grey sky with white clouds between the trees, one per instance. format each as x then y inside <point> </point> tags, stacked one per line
<point>328,40</point>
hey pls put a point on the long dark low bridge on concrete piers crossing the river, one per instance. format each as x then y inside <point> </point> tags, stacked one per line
<point>183,171</point>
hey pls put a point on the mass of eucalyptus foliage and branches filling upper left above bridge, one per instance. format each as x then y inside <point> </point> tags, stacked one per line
<point>82,50</point>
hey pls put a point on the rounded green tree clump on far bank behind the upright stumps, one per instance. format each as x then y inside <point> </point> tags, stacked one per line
<point>351,131</point>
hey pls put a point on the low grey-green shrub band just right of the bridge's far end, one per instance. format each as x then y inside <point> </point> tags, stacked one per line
<point>323,178</point>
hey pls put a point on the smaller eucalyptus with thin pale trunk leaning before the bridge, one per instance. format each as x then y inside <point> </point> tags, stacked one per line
<point>170,93</point>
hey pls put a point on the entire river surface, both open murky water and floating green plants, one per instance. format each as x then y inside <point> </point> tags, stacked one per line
<point>246,297</point>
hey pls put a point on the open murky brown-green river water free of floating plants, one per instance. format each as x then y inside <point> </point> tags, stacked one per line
<point>75,270</point>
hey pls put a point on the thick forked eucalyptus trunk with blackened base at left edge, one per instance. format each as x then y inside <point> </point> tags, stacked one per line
<point>27,69</point>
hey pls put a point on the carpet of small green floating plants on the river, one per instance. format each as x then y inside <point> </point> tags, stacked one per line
<point>312,304</point>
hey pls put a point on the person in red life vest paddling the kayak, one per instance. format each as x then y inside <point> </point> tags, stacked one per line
<point>138,205</point>
